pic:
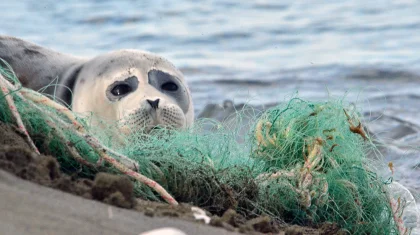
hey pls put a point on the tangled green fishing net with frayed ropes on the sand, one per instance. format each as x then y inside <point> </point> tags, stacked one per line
<point>300,162</point>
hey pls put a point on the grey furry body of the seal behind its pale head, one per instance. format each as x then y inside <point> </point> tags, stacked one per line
<point>37,67</point>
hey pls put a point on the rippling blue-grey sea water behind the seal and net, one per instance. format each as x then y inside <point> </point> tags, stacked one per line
<point>259,52</point>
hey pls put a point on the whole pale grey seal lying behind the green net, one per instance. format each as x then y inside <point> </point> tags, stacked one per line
<point>133,87</point>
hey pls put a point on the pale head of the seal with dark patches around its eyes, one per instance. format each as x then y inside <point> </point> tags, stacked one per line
<point>138,89</point>
